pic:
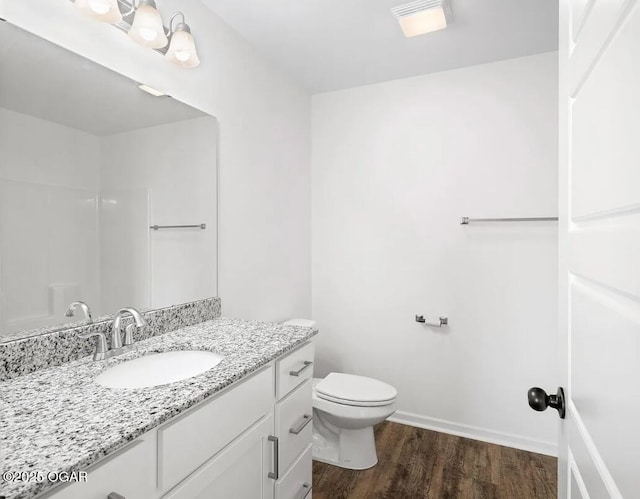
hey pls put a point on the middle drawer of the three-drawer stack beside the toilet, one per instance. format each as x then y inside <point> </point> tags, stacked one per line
<point>294,424</point>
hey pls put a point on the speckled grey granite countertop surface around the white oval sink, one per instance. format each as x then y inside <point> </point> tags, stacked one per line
<point>59,419</point>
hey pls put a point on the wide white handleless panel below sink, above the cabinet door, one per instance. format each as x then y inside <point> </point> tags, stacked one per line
<point>187,442</point>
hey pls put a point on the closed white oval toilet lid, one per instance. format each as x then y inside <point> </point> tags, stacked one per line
<point>355,390</point>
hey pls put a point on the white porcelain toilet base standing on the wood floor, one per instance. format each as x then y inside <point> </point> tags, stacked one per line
<point>351,449</point>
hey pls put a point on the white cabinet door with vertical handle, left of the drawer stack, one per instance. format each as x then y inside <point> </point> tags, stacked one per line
<point>240,471</point>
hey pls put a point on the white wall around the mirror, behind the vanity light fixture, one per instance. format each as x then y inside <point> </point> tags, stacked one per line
<point>264,231</point>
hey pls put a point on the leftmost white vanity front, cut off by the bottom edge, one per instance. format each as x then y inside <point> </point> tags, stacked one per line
<point>129,472</point>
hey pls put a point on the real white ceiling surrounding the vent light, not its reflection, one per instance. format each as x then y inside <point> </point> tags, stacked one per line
<point>333,44</point>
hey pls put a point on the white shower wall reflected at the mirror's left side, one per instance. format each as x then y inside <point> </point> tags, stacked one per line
<point>48,197</point>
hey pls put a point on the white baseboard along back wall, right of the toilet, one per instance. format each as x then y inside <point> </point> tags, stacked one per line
<point>475,433</point>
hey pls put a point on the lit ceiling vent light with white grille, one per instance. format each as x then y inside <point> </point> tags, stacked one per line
<point>423,16</point>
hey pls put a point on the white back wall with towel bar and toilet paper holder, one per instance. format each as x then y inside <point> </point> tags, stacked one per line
<point>394,167</point>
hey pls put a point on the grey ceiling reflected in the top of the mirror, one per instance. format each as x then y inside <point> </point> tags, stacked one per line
<point>44,80</point>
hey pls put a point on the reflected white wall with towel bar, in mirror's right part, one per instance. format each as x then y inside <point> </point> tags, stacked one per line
<point>161,175</point>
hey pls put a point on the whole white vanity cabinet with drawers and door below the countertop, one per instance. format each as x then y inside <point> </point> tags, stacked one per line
<point>251,441</point>
